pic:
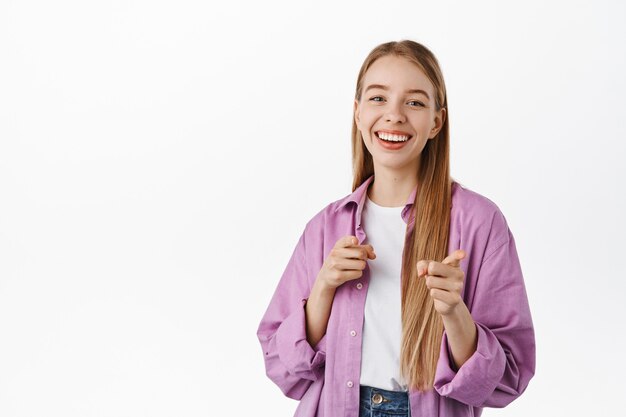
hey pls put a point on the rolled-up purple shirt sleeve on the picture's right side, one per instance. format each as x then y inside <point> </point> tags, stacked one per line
<point>504,361</point>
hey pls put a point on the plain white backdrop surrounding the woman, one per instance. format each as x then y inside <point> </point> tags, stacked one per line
<point>159,160</point>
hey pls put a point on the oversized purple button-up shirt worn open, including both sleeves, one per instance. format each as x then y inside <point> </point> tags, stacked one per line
<point>325,377</point>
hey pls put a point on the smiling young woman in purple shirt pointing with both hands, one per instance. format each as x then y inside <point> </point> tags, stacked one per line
<point>406,296</point>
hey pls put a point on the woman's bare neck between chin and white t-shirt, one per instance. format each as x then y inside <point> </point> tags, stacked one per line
<point>392,188</point>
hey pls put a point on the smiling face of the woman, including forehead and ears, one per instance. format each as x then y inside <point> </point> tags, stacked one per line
<point>397,114</point>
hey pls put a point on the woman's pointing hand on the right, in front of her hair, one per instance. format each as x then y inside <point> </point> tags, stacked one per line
<point>444,280</point>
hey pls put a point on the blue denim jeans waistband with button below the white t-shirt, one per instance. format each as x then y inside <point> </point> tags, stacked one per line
<point>376,402</point>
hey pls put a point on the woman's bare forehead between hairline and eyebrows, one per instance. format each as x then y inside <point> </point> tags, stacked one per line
<point>397,73</point>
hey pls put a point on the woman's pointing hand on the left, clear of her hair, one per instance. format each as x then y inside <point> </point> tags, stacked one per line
<point>345,262</point>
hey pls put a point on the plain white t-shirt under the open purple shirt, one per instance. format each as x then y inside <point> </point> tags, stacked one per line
<point>382,329</point>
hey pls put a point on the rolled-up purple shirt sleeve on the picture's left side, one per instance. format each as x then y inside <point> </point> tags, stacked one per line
<point>290,361</point>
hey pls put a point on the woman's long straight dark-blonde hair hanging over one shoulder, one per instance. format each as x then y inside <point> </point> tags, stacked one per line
<point>422,326</point>
